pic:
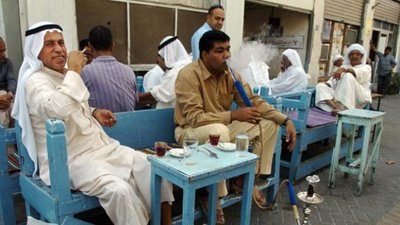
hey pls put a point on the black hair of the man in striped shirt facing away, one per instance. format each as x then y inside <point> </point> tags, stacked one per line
<point>100,38</point>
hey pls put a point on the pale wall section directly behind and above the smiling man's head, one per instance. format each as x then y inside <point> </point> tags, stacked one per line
<point>61,12</point>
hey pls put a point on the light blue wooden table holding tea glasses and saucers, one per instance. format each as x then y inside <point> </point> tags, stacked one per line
<point>207,171</point>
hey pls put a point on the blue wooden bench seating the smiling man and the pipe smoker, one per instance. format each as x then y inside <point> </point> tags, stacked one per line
<point>137,129</point>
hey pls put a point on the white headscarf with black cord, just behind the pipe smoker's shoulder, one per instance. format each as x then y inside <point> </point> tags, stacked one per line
<point>173,53</point>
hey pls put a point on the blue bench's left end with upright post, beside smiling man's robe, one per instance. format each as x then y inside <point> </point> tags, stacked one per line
<point>56,204</point>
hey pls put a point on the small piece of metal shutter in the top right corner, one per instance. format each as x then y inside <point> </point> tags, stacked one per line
<point>388,11</point>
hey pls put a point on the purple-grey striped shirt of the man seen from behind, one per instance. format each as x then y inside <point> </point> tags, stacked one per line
<point>111,84</point>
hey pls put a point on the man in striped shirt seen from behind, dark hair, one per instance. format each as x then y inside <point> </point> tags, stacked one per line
<point>111,84</point>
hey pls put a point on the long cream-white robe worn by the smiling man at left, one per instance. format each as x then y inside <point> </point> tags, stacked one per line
<point>98,165</point>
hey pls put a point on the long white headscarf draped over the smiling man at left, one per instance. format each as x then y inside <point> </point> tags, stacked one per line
<point>31,64</point>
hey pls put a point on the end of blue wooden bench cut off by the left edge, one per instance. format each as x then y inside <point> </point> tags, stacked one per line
<point>9,184</point>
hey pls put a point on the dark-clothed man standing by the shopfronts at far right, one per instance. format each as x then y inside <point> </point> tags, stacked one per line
<point>386,64</point>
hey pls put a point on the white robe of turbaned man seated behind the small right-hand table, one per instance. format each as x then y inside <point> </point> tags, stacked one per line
<point>350,91</point>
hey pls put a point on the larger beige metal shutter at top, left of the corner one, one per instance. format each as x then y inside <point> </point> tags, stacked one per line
<point>344,11</point>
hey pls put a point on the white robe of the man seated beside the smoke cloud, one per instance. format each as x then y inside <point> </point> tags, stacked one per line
<point>292,79</point>
